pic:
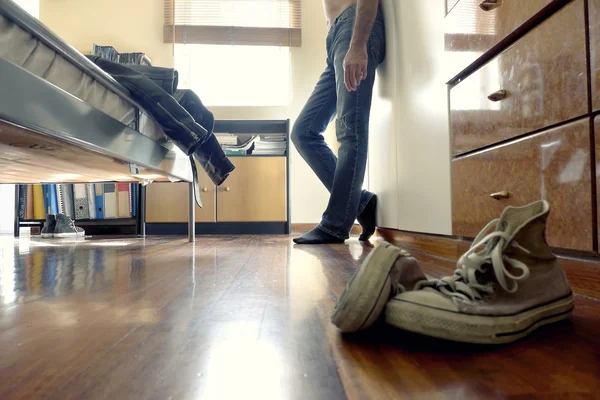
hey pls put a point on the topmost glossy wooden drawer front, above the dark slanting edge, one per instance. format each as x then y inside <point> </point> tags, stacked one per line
<point>470,31</point>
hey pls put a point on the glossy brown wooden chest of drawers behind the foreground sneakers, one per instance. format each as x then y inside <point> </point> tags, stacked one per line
<point>531,141</point>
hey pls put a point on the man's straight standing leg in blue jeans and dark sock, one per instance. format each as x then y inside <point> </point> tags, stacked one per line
<point>347,198</point>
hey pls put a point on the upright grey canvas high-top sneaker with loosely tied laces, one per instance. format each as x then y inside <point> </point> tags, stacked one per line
<point>505,286</point>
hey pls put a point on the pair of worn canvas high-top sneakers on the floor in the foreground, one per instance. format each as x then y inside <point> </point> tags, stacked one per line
<point>505,286</point>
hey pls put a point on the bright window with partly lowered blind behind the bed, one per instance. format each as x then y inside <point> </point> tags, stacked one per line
<point>234,52</point>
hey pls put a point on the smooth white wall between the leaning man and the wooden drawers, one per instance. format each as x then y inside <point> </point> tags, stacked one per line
<point>410,149</point>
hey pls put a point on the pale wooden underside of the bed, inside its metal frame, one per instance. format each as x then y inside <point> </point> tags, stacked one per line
<point>29,157</point>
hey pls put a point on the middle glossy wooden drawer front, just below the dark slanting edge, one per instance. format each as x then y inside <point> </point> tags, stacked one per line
<point>538,82</point>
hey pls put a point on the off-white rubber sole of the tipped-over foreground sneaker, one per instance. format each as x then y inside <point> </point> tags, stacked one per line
<point>368,291</point>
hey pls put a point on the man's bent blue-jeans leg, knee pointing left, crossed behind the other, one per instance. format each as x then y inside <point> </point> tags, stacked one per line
<point>307,133</point>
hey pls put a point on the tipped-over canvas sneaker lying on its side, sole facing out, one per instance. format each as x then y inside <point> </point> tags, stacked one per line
<point>386,271</point>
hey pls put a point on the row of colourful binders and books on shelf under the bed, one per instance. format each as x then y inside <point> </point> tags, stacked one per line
<point>78,201</point>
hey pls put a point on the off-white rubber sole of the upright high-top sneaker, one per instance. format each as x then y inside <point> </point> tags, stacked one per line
<point>468,328</point>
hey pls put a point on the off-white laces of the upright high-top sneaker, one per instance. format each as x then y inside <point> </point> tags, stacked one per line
<point>463,283</point>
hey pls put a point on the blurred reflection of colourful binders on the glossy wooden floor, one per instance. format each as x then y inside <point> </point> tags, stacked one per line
<point>33,268</point>
